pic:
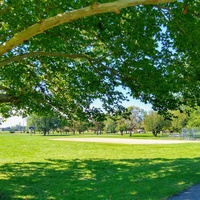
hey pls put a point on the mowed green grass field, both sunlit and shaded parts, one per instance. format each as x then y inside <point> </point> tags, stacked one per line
<point>37,167</point>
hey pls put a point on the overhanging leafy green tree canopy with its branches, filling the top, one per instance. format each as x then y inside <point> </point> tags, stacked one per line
<point>62,55</point>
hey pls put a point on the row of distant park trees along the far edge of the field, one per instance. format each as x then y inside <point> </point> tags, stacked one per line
<point>133,120</point>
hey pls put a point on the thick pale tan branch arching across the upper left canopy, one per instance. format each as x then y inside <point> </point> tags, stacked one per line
<point>59,19</point>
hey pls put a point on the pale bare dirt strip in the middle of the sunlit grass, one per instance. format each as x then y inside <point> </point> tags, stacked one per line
<point>126,141</point>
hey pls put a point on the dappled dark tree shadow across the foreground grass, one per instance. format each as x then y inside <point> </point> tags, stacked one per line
<point>123,179</point>
